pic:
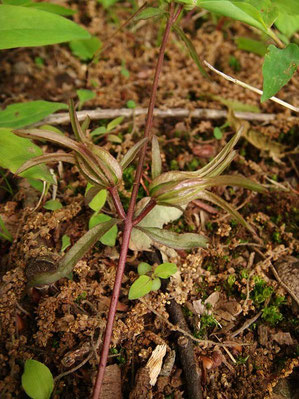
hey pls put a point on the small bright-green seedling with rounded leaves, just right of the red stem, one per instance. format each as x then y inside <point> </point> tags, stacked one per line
<point>149,279</point>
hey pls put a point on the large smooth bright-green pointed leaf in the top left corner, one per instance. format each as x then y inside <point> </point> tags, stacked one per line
<point>27,27</point>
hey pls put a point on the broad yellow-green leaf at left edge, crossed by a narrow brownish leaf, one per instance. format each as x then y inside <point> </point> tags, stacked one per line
<point>15,151</point>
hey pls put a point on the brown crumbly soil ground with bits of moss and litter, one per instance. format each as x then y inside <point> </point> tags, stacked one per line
<point>62,325</point>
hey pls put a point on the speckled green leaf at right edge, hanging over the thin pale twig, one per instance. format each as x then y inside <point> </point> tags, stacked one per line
<point>278,68</point>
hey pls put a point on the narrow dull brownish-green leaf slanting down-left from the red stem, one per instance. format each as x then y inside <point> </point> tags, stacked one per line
<point>72,257</point>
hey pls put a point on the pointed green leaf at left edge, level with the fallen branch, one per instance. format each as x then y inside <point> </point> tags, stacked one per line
<point>24,114</point>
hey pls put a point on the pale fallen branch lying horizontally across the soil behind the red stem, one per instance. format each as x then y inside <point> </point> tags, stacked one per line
<point>205,113</point>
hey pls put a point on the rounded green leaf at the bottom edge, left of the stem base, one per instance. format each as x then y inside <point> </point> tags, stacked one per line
<point>37,380</point>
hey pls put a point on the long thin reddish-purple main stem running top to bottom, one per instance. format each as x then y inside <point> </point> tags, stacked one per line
<point>129,218</point>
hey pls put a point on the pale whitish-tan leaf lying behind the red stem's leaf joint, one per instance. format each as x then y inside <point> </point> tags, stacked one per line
<point>157,217</point>
